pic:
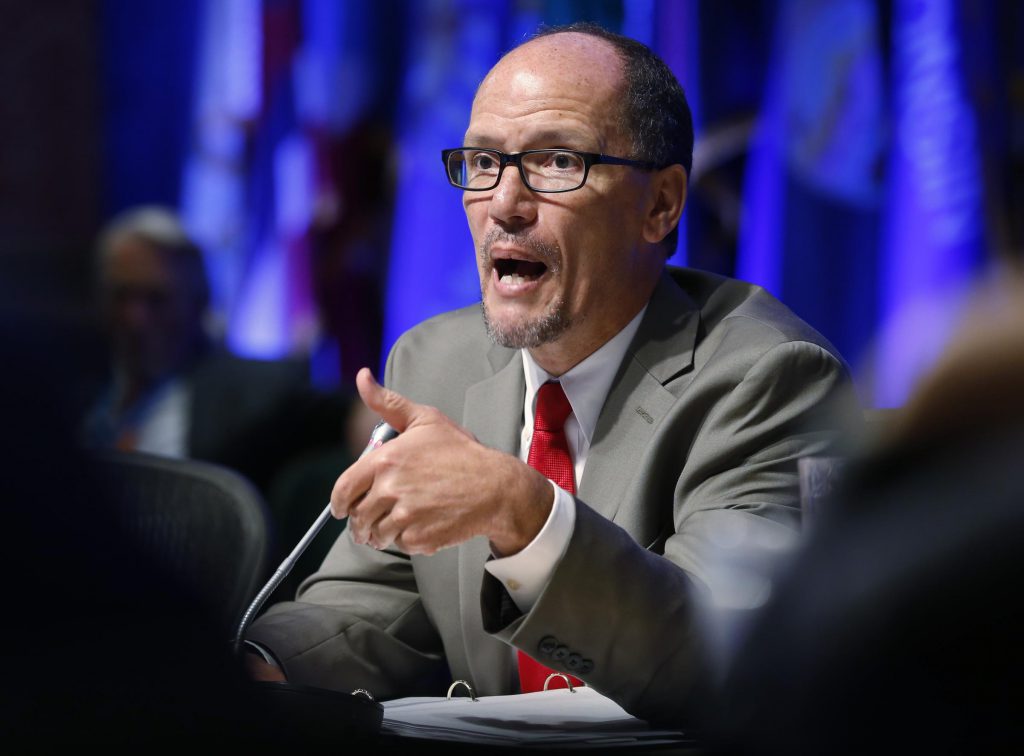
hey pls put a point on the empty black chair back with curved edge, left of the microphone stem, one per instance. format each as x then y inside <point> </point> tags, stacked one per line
<point>204,525</point>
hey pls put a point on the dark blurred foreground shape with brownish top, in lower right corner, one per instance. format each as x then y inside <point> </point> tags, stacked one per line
<point>900,626</point>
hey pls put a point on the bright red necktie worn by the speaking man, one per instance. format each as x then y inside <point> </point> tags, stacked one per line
<point>549,455</point>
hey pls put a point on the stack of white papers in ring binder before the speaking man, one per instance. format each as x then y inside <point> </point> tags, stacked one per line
<point>550,719</point>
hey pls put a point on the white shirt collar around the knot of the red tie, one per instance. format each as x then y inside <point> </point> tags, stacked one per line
<point>587,384</point>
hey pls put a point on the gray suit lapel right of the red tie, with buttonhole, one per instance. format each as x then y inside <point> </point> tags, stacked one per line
<point>639,398</point>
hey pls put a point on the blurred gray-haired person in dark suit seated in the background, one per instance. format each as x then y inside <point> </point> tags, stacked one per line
<point>173,391</point>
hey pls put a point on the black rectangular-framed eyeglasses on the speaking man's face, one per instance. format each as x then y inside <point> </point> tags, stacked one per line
<point>542,171</point>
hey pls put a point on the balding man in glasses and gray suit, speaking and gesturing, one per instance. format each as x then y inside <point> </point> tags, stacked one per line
<point>693,397</point>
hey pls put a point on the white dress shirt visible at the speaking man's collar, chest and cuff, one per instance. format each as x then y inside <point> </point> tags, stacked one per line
<point>586,386</point>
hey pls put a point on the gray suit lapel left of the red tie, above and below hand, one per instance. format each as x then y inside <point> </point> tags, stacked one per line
<point>494,414</point>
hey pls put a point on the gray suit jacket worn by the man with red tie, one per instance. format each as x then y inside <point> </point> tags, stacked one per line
<point>721,392</point>
